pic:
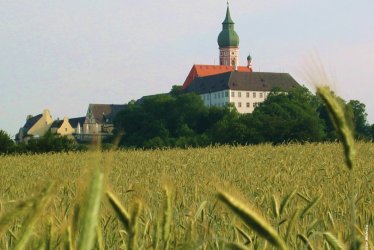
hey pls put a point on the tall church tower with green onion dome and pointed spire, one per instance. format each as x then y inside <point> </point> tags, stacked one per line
<point>228,41</point>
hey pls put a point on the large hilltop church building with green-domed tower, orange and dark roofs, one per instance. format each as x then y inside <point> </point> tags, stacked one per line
<point>219,85</point>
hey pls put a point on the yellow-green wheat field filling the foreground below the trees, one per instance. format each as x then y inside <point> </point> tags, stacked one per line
<point>246,197</point>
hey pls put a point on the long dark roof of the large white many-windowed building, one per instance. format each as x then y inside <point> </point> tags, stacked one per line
<point>255,81</point>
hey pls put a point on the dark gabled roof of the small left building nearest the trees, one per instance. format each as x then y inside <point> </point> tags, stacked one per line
<point>105,113</point>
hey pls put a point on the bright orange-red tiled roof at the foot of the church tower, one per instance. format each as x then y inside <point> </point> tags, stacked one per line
<point>199,70</point>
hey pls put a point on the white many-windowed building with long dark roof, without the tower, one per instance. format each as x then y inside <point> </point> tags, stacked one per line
<point>244,90</point>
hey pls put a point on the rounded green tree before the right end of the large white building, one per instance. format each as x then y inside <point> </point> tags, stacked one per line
<point>291,116</point>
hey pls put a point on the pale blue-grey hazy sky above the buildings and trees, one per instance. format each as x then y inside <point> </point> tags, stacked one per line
<point>63,55</point>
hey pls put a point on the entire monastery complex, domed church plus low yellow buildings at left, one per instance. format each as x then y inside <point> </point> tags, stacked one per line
<point>217,85</point>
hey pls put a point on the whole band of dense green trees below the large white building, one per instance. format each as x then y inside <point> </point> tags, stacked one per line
<point>182,120</point>
